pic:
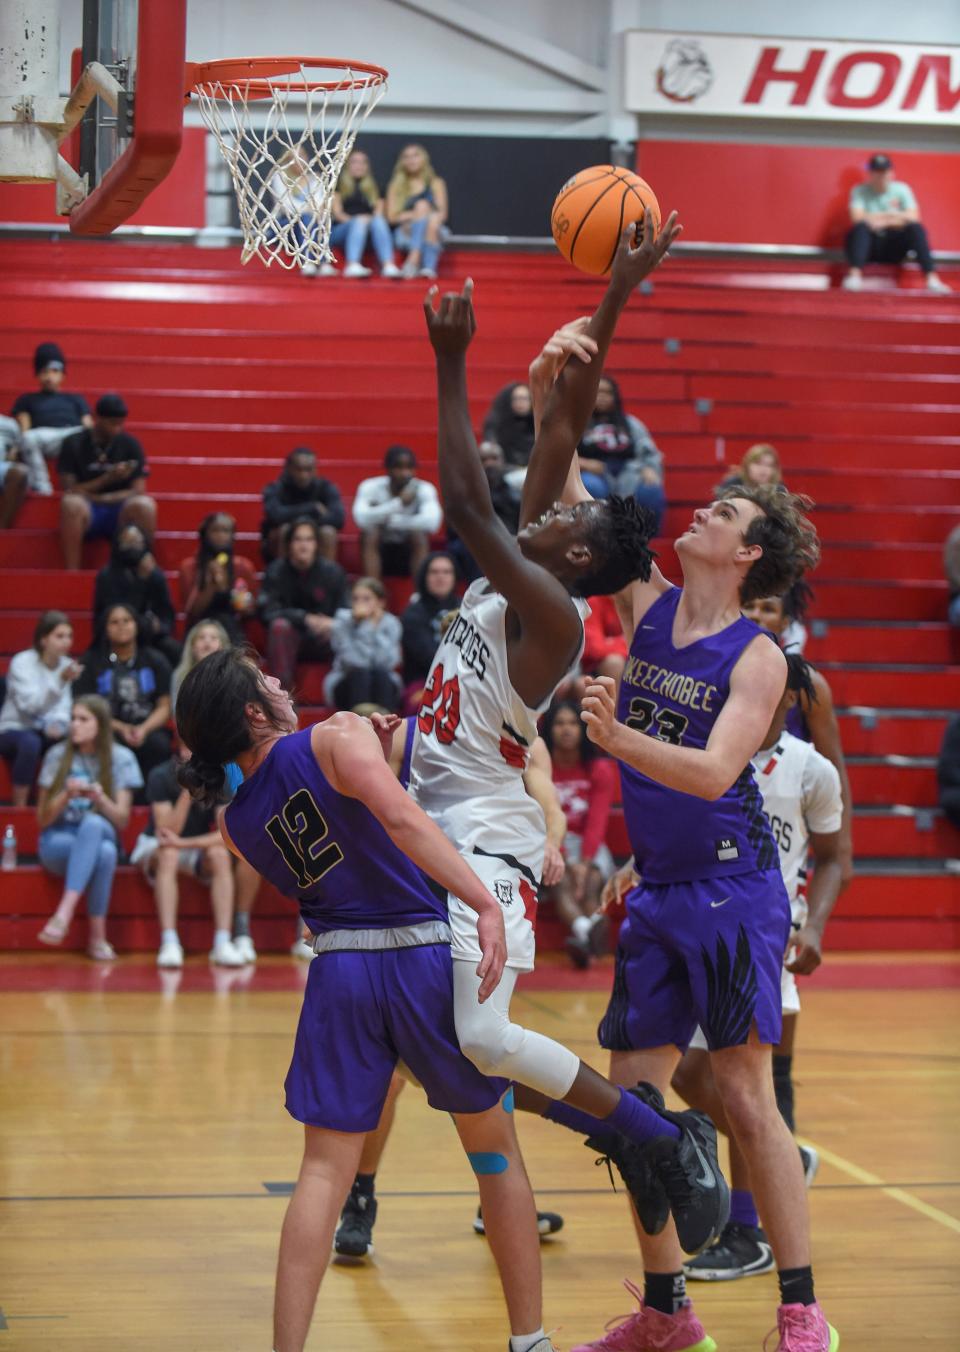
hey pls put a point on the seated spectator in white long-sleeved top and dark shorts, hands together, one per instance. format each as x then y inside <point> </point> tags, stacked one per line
<point>397,514</point>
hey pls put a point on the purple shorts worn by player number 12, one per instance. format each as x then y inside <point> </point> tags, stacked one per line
<point>362,1013</point>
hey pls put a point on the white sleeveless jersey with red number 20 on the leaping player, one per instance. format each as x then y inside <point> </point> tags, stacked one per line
<point>474,733</point>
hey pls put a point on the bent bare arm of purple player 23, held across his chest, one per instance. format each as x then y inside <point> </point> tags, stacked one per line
<point>757,687</point>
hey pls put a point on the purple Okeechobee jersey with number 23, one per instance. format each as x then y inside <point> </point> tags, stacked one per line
<point>677,696</point>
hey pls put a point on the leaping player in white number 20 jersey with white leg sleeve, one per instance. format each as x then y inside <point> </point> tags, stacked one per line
<point>519,633</point>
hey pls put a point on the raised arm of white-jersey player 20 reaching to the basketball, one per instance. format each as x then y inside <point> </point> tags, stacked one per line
<point>570,386</point>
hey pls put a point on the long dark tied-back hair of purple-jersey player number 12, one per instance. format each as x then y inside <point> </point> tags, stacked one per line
<point>212,719</point>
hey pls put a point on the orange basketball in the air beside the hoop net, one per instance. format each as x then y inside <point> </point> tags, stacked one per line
<point>593,210</point>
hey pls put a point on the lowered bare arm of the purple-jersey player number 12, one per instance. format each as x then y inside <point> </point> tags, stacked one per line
<point>351,756</point>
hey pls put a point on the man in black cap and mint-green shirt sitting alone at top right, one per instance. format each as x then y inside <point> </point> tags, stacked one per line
<point>885,226</point>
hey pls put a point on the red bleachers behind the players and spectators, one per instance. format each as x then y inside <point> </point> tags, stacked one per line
<point>225,370</point>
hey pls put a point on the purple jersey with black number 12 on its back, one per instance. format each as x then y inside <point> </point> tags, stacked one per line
<point>325,851</point>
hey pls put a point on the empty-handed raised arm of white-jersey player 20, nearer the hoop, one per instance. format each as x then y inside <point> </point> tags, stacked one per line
<point>551,627</point>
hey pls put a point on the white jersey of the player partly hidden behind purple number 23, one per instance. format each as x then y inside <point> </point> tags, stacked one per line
<point>801,794</point>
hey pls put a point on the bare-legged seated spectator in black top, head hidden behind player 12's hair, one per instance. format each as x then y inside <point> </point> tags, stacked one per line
<point>183,838</point>
